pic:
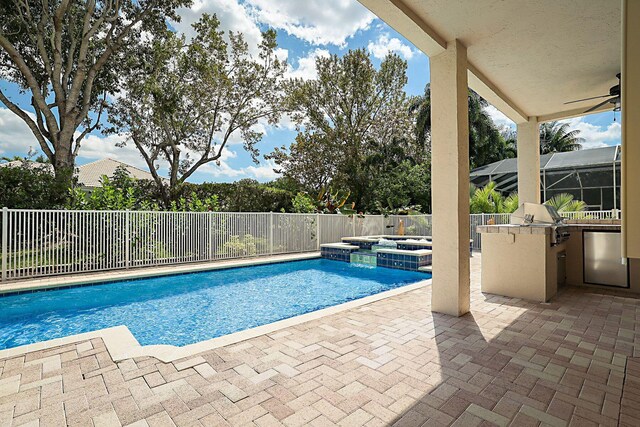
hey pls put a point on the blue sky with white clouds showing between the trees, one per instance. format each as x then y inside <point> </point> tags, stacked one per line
<point>306,29</point>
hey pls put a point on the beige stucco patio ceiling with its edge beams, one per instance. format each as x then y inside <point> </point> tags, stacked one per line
<point>525,57</point>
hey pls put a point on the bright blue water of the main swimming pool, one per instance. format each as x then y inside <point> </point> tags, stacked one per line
<point>187,308</point>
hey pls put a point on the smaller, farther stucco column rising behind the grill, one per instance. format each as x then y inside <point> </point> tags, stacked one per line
<point>529,161</point>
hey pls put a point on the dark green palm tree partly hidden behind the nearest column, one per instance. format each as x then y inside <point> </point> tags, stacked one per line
<point>486,144</point>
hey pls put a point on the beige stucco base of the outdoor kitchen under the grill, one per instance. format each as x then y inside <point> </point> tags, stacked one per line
<point>519,265</point>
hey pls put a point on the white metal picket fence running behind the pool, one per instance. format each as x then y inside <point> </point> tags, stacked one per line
<point>52,242</point>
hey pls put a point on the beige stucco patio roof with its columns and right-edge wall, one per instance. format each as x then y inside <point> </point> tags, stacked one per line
<point>530,60</point>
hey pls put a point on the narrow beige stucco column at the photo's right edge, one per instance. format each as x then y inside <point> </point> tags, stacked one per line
<point>630,97</point>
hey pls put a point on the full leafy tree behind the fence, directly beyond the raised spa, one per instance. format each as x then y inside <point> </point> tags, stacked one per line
<point>349,116</point>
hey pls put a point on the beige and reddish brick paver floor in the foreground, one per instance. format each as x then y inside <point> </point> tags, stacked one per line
<point>508,362</point>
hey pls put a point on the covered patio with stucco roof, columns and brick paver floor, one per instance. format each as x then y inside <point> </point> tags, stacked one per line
<point>443,353</point>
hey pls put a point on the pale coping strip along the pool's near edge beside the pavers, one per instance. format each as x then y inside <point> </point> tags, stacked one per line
<point>121,344</point>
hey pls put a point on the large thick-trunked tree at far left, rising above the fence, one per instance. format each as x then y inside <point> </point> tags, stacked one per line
<point>66,55</point>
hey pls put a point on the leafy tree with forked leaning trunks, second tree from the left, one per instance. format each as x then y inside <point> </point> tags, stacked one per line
<point>187,99</point>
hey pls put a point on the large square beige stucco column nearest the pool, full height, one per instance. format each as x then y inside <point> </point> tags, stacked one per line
<point>450,180</point>
